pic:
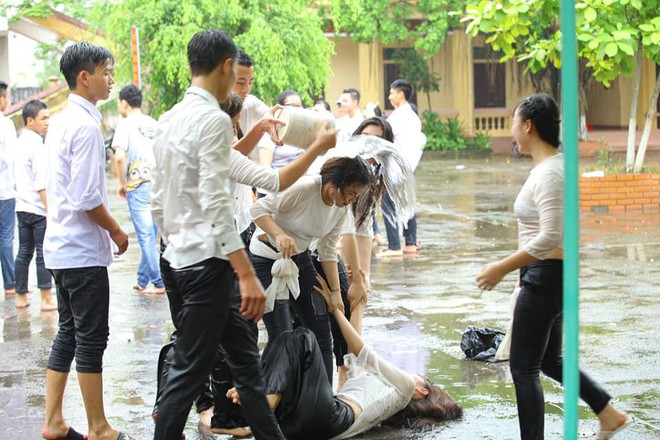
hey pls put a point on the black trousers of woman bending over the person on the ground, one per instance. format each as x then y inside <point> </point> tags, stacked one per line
<point>309,306</point>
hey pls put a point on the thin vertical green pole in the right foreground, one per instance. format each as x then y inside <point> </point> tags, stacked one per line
<point>569,100</point>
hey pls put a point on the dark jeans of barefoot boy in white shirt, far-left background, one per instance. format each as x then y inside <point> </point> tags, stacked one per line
<point>31,230</point>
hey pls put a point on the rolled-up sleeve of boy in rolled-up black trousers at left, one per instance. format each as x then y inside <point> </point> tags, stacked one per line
<point>84,189</point>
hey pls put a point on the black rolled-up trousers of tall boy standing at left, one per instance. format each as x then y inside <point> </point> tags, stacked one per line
<point>83,297</point>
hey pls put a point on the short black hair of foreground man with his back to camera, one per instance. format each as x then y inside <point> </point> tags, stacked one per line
<point>207,49</point>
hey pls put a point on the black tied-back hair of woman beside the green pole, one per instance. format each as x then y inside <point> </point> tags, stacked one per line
<point>543,111</point>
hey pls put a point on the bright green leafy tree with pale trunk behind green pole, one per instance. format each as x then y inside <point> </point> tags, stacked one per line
<point>613,35</point>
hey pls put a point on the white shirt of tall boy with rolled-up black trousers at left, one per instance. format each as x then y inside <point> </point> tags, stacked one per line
<point>76,184</point>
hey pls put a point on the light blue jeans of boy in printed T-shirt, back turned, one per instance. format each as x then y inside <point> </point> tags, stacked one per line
<point>139,205</point>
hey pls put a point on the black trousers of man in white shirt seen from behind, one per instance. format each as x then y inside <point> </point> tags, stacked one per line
<point>200,304</point>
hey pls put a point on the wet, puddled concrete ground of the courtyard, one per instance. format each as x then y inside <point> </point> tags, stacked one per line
<point>418,309</point>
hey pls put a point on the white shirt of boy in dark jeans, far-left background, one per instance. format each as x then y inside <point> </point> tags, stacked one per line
<point>31,172</point>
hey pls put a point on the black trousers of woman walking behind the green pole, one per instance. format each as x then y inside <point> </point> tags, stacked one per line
<point>536,345</point>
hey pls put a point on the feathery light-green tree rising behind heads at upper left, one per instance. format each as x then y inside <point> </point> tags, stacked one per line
<point>284,38</point>
